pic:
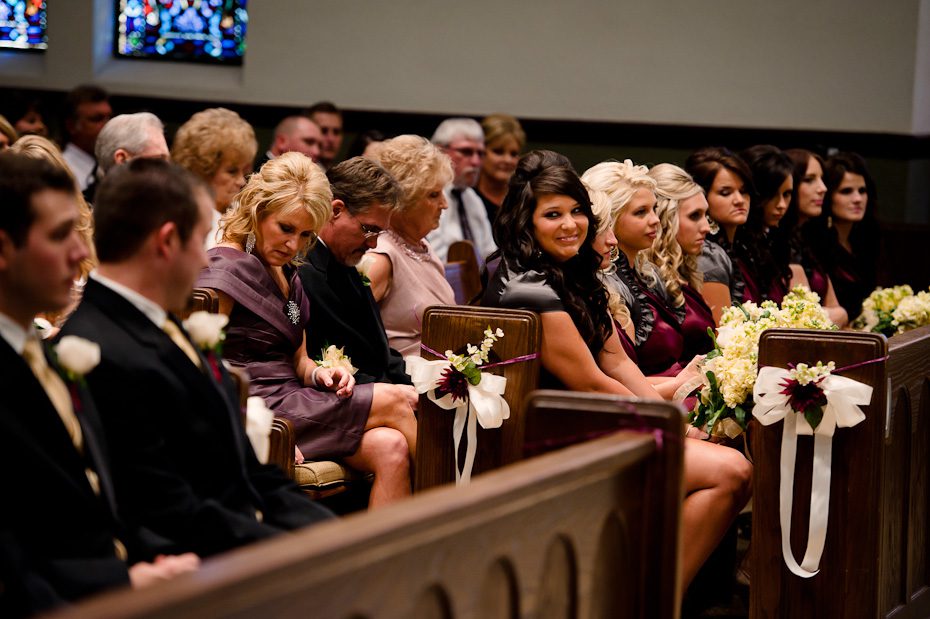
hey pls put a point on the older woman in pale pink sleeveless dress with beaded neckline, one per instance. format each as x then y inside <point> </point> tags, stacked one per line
<point>406,275</point>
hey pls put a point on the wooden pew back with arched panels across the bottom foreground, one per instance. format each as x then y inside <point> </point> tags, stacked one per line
<point>564,535</point>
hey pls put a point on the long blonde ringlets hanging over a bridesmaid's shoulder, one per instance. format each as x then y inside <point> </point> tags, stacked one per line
<point>672,186</point>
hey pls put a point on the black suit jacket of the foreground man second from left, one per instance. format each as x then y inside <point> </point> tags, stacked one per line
<point>183,466</point>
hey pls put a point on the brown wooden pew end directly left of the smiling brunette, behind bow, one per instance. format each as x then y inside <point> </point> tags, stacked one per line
<point>450,328</point>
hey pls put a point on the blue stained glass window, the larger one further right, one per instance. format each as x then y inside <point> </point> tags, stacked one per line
<point>194,30</point>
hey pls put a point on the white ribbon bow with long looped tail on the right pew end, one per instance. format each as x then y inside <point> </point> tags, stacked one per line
<point>844,397</point>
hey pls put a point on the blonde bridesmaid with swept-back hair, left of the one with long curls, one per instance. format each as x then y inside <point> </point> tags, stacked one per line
<point>658,337</point>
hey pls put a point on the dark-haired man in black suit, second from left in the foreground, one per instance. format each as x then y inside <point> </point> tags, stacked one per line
<point>183,466</point>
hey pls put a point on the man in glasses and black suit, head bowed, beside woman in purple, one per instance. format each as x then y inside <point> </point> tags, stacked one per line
<point>343,311</point>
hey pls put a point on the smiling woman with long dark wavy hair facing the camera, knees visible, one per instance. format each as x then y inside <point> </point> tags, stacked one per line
<point>546,231</point>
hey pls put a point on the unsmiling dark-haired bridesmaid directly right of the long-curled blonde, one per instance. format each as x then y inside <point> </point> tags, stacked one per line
<point>726,180</point>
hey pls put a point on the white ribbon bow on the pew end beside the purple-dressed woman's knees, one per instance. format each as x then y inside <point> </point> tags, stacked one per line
<point>484,400</point>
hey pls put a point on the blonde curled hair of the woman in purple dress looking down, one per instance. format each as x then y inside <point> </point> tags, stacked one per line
<point>286,184</point>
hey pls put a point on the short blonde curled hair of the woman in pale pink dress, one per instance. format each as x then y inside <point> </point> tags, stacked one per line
<point>416,163</point>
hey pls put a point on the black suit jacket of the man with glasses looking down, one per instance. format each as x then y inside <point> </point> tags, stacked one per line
<point>343,312</point>
